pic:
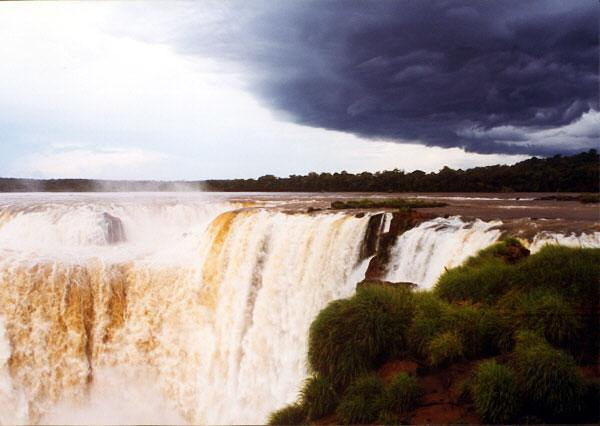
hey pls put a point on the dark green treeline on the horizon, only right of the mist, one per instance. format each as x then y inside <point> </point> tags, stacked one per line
<point>577,173</point>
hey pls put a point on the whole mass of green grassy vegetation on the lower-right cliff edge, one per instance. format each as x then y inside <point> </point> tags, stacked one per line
<point>513,328</point>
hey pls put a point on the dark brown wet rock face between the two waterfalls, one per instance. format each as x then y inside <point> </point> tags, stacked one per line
<point>401,222</point>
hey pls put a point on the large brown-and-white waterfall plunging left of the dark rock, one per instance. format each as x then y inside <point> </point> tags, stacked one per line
<point>206,326</point>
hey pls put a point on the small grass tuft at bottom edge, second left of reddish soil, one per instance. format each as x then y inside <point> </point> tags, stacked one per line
<point>362,401</point>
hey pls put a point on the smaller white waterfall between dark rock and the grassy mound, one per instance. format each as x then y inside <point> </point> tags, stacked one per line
<point>420,255</point>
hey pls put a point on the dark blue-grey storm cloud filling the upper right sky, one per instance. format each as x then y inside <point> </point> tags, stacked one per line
<point>482,75</point>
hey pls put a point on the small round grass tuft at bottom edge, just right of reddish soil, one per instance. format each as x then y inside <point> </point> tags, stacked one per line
<point>495,392</point>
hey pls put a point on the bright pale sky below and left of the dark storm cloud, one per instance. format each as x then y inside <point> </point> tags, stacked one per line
<point>106,90</point>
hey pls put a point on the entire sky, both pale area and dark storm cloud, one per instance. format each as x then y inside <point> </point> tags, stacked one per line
<point>226,89</point>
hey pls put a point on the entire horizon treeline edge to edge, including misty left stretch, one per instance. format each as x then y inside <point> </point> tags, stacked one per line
<point>577,173</point>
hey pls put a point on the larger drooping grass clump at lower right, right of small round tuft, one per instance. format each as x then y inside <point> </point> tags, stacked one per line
<point>547,377</point>
